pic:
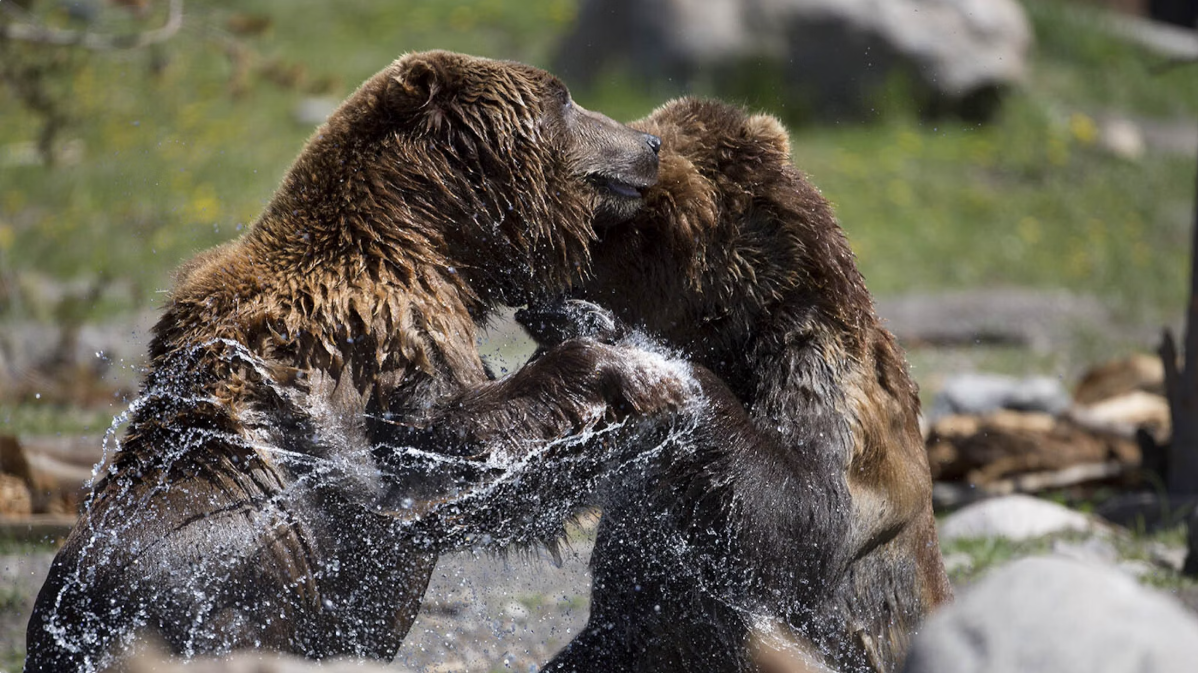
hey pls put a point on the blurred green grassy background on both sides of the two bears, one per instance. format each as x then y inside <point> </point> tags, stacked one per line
<point>162,151</point>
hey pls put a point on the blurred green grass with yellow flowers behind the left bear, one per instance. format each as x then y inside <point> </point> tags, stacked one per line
<point>185,160</point>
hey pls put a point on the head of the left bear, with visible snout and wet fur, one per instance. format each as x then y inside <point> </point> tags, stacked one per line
<point>486,168</point>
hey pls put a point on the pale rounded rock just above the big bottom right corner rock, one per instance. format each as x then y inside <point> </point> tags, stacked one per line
<point>1015,518</point>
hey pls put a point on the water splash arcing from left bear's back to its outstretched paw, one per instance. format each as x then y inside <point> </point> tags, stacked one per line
<point>513,495</point>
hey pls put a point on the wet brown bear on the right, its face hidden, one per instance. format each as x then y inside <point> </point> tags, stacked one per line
<point>808,533</point>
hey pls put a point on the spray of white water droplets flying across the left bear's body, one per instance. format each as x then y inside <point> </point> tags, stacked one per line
<point>511,494</point>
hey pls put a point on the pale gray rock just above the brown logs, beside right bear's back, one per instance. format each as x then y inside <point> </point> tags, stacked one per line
<point>977,395</point>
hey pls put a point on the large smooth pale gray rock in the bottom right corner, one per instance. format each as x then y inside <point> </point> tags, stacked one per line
<point>1058,616</point>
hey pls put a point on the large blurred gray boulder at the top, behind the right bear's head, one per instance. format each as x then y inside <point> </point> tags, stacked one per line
<point>832,58</point>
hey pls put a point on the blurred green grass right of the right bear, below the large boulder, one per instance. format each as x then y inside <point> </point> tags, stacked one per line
<point>1024,202</point>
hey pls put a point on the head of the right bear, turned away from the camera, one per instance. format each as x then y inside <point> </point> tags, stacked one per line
<point>730,234</point>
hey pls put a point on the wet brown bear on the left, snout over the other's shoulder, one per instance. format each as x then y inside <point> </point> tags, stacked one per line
<point>243,507</point>
